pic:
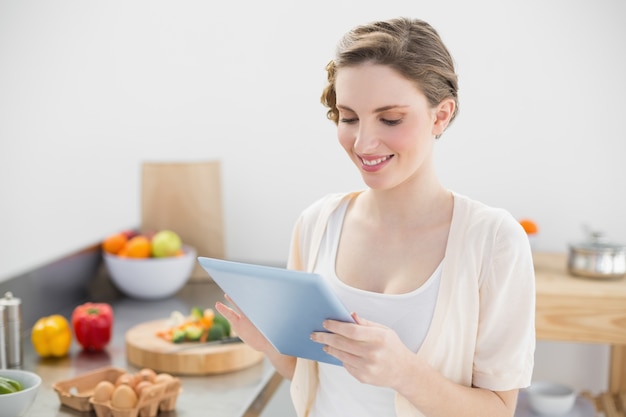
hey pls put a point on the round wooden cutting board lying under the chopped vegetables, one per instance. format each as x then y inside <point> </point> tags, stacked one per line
<point>145,349</point>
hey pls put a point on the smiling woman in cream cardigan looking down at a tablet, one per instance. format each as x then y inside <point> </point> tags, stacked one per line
<point>442,286</point>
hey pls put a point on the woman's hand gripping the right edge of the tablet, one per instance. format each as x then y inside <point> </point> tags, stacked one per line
<point>371,352</point>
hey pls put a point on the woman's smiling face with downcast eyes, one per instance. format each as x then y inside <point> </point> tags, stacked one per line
<point>386,124</point>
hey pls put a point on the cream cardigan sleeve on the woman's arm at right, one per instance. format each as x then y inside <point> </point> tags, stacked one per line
<point>505,344</point>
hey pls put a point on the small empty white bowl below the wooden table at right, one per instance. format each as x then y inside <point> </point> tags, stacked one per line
<point>550,398</point>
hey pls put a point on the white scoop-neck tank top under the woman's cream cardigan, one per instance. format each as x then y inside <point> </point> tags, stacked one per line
<point>409,314</point>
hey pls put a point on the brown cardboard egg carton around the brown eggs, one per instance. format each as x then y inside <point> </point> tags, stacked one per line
<point>77,393</point>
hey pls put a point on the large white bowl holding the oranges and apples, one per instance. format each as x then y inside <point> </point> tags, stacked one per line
<point>151,278</point>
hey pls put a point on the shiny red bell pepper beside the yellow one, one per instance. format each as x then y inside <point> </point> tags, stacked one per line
<point>92,323</point>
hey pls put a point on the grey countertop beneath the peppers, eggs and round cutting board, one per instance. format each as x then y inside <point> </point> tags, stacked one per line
<point>241,393</point>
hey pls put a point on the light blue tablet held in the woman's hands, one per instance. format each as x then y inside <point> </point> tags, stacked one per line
<point>285,305</point>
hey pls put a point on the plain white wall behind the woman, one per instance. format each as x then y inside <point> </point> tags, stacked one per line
<point>90,90</point>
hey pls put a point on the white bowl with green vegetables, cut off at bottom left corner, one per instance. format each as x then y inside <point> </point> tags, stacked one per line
<point>16,404</point>
